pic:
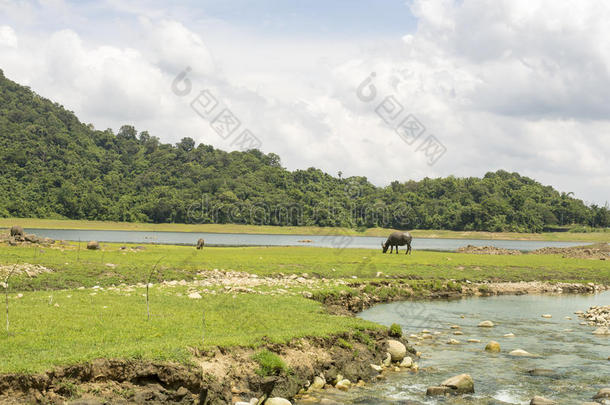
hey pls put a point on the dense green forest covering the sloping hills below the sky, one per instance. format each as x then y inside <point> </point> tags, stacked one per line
<point>54,166</point>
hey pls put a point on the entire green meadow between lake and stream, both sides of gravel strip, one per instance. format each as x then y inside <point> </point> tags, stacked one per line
<point>58,318</point>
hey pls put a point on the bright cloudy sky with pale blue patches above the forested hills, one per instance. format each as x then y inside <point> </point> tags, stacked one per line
<point>520,85</point>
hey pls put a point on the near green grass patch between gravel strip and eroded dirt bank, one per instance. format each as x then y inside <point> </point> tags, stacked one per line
<point>70,327</point>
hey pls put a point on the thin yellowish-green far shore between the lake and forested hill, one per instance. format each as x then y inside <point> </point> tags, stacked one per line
<point>296,230</point>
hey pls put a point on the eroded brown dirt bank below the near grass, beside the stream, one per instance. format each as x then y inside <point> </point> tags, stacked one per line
<point>217,376</point>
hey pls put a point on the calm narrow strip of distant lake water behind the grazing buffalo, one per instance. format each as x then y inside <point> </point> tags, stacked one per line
<point>228,239</point>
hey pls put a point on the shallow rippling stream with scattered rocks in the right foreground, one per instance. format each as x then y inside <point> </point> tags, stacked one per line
<point>578,358</point>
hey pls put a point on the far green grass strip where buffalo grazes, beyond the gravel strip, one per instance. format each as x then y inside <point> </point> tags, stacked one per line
<point>87,268</point>
